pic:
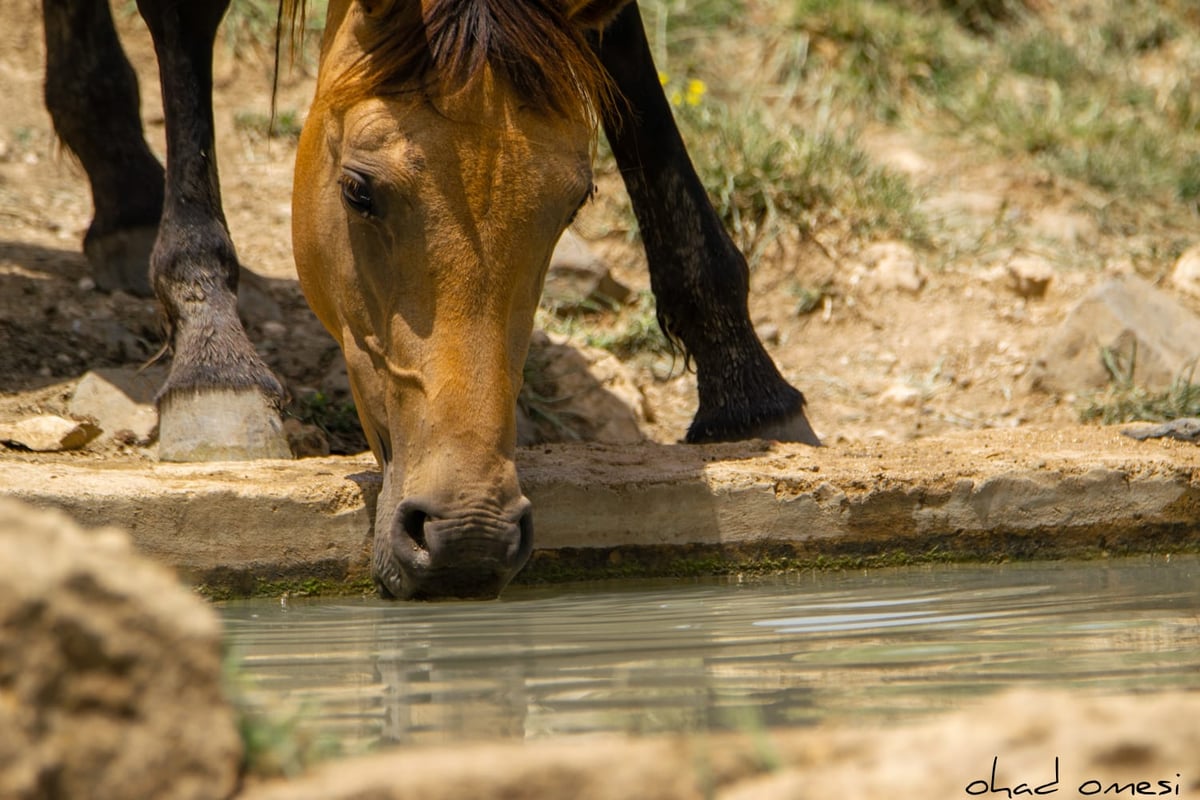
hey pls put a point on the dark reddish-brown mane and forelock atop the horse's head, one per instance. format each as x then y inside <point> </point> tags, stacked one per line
<point>441,46</point>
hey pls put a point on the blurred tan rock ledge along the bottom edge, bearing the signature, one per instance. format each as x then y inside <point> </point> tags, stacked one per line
<point>1095,743</point>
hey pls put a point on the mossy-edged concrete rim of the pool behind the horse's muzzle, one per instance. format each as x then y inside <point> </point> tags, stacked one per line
<point>269,527</point>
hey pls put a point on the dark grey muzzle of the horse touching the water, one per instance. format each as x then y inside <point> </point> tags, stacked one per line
<point>433,552</point>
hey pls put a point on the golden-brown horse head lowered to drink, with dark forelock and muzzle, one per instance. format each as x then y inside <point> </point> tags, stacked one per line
<point>448,147</point>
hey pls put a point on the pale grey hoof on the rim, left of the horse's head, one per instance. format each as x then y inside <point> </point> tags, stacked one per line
<point>220,425</point>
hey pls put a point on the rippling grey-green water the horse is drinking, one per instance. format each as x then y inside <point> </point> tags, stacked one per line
<point>652,657</point>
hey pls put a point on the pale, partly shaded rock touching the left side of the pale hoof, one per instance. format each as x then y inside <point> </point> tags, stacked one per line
<point>121,400</point>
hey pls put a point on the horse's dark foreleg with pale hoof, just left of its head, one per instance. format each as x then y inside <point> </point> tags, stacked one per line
<point>220,401</point>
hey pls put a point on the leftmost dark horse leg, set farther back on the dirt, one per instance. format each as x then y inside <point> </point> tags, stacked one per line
<point>92,94</point>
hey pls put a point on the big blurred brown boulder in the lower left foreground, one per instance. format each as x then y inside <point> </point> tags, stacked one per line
<point>110,671</point>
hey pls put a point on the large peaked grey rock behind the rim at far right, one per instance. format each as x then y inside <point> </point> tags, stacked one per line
<point>1133,320</point>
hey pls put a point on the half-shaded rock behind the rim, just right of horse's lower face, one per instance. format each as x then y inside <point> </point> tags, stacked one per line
<point>580,394</point>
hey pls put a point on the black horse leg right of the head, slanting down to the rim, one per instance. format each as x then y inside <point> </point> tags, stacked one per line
<point>699,276</point>
